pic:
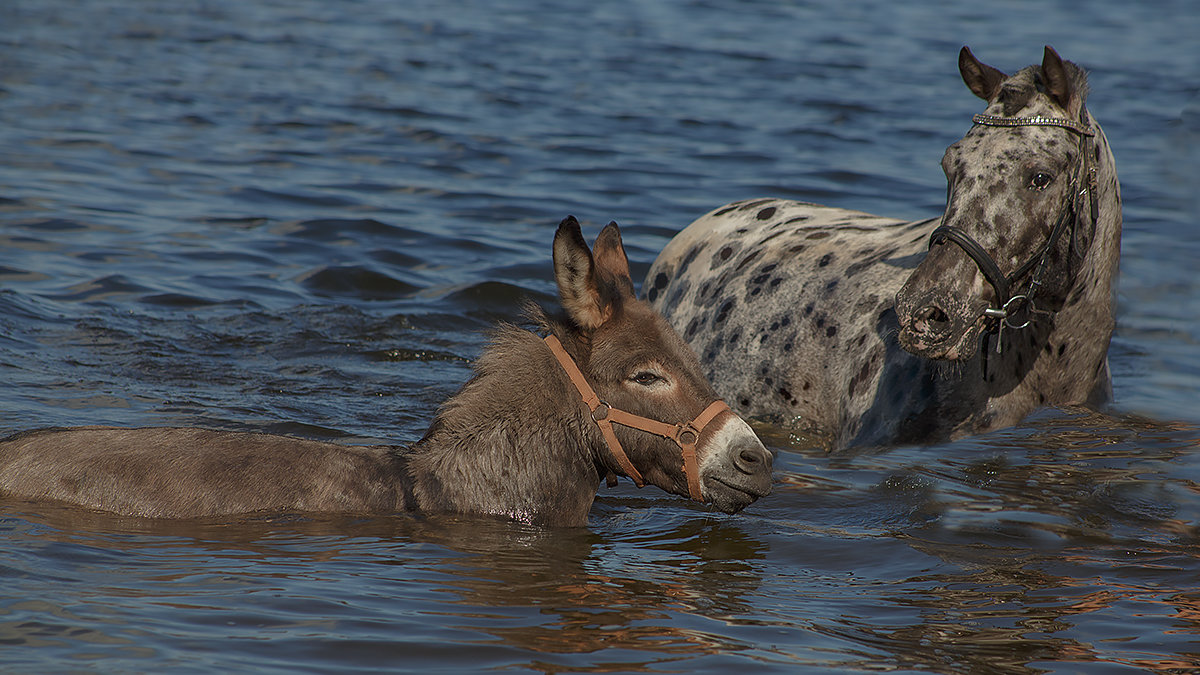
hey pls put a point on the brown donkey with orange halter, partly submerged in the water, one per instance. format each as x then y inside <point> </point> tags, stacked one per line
<point>529,438</point>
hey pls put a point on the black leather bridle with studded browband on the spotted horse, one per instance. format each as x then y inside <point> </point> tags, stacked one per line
<point>1082,187</point>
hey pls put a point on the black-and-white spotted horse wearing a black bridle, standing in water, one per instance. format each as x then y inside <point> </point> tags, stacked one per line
<point>868,330</point>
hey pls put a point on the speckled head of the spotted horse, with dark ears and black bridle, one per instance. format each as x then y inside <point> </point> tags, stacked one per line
<point>1012,237</point>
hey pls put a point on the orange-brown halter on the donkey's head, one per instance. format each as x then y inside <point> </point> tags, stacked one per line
<point>687,435</point>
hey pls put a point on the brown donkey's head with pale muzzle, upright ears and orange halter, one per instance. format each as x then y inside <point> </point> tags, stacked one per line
<point>639,368</point>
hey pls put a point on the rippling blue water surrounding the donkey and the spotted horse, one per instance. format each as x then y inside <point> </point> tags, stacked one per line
<point>299,218</point>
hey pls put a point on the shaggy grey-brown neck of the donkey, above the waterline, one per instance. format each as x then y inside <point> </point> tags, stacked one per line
<point>514,441</point>
